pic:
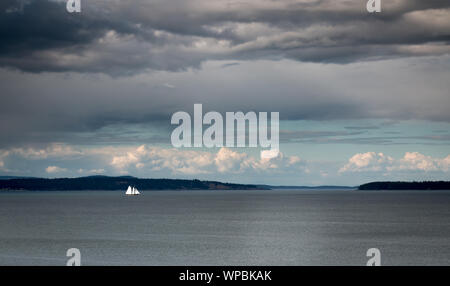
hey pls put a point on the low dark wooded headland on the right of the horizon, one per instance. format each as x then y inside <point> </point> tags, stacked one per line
<point>427,185</point>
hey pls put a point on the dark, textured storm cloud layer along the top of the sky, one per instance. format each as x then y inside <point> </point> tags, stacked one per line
<point>125,37</point>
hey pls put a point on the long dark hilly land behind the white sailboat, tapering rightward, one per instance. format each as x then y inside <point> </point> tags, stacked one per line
<point>116,183</point>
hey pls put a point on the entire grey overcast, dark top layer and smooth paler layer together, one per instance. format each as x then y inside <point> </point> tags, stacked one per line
<point>259,45</point>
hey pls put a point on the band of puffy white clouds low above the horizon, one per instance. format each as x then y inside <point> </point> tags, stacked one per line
<point>222,164</point>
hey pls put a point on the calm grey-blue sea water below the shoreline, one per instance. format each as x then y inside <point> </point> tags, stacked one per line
<point>286,227</point>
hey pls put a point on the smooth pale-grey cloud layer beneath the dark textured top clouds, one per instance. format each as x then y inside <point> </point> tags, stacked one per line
<point>95,109</point>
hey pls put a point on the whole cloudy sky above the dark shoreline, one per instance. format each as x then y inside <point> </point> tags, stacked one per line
<point>361,96</point>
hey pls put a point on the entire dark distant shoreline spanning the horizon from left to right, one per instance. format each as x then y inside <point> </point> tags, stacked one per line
<point>106,183</point>
